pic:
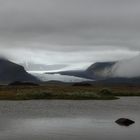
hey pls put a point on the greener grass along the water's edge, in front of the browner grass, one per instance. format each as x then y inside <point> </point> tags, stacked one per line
<point>66,96</point>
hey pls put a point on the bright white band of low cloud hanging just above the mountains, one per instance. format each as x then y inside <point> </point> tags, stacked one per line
<point>74,60</point>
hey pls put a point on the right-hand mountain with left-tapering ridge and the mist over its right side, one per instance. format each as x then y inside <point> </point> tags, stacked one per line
<point>128,68</point>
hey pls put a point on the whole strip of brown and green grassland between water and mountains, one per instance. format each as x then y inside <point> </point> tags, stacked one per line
<point>66,92</point>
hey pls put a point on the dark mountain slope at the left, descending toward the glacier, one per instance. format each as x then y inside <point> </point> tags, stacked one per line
<point>10,72</point>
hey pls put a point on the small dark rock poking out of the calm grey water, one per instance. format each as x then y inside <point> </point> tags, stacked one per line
<point>124,122</point>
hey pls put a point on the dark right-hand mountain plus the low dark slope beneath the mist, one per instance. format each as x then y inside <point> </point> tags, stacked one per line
<point>103,74</point>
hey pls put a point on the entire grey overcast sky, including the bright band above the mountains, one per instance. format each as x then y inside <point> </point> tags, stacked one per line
<point>75,32</point>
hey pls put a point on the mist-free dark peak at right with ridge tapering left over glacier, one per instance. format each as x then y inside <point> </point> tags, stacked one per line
<point>96,71</point>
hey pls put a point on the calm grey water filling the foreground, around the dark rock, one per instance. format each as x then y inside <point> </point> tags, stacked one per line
<point>69,120</point>
